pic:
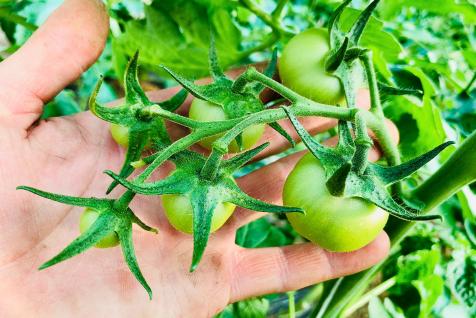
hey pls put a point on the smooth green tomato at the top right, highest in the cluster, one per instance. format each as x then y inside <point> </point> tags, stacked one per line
<point>302,68</point>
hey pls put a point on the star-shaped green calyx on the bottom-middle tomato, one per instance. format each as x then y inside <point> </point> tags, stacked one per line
<point>205,193</point>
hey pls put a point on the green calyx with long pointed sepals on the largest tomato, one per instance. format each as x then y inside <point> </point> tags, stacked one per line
<point>348,177</point>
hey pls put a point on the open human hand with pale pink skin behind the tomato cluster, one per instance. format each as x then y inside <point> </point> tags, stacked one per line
<point>68,154</point>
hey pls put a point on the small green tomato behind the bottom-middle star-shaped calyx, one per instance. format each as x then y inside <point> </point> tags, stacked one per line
<point>178,210</point>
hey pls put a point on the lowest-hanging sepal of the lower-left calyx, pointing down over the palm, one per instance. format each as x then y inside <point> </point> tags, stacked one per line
<point>124,232</point>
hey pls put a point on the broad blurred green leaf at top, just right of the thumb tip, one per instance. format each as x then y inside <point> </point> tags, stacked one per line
<point>176,29</point>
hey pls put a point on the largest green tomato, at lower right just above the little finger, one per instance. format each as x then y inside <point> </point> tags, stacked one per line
<point>334,223</point>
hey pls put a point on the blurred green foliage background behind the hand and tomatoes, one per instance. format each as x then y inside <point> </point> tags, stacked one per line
<point>428,45</point>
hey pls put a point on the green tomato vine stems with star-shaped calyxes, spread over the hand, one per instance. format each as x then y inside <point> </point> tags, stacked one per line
<point>208,181</point>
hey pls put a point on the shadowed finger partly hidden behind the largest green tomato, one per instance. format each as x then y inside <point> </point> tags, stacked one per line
<point>267,184</point>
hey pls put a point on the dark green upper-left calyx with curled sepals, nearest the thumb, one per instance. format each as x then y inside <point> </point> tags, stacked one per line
<point>142,130</point>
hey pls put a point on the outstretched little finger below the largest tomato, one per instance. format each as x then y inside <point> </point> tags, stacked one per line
<point>279,269</point>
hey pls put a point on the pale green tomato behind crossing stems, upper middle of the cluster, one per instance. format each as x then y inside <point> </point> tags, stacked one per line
<point>201,110</point>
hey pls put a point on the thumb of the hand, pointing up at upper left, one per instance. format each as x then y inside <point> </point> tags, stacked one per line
<point>56,54</point>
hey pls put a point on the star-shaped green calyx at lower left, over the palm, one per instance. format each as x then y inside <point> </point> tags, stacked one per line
<point>111,218</point>
